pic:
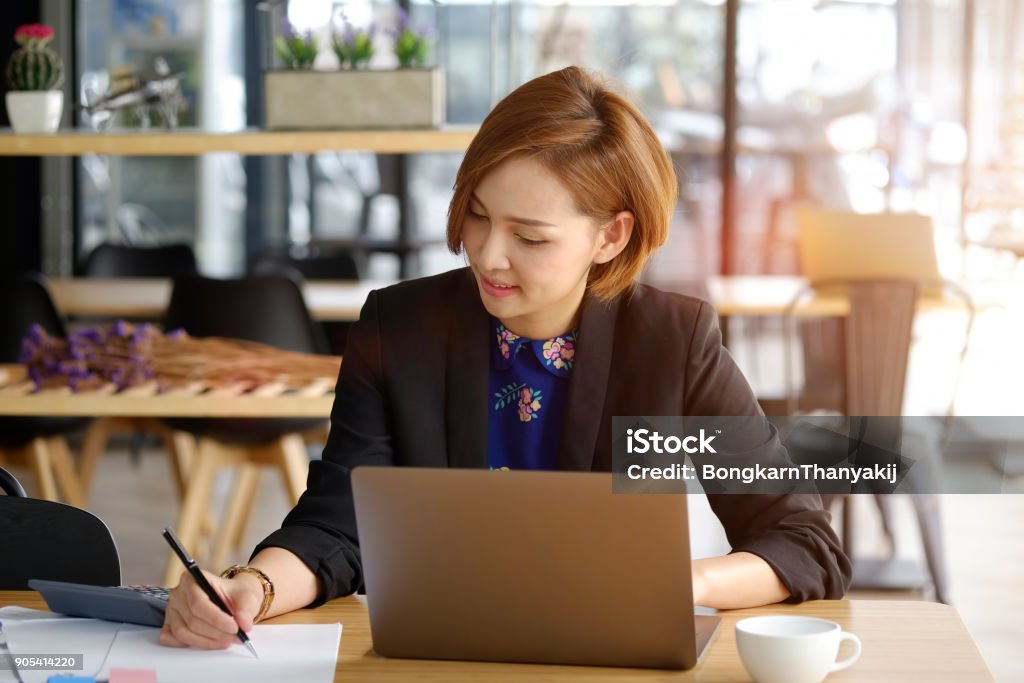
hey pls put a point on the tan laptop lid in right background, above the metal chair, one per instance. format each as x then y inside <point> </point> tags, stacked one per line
<point>842,245</point>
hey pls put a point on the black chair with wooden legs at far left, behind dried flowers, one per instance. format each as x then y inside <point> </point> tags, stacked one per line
<point>36,443</point>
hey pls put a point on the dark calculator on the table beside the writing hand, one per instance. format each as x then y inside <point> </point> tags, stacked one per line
<point>129,605</point>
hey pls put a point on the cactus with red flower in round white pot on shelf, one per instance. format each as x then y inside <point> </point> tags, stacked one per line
<point>35,74</point>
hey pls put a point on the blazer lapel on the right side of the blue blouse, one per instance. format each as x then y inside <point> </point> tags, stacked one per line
<point>588,385</point>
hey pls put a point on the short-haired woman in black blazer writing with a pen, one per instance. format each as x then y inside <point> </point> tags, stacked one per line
<point>522,360</point>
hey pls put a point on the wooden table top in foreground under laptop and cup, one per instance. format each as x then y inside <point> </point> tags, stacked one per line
<point>903,642</point>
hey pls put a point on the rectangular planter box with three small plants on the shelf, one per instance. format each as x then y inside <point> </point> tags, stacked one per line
<point>356,97</point>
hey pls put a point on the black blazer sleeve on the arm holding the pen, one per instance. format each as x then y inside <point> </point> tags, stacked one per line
<point>321,530</point>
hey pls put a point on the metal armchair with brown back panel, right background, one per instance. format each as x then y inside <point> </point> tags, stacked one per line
<point>876,351</point>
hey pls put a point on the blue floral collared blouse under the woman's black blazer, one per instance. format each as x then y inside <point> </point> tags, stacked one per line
<point>529,385</point>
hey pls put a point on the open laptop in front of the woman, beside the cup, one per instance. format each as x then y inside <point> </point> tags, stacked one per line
<point>545,568</point>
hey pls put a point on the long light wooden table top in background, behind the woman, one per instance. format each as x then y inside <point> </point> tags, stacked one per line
<point>343,301</point>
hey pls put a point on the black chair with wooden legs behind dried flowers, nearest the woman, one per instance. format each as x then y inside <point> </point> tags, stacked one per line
<point>269,311</point>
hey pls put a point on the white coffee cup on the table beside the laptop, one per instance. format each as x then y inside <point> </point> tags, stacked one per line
<point>792,650</point>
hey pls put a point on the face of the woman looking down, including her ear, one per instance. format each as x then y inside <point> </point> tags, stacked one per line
<point>531,250</point>
